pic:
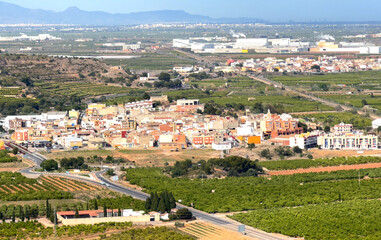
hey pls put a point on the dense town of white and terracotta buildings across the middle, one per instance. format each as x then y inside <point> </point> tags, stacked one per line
<point>156,123</point>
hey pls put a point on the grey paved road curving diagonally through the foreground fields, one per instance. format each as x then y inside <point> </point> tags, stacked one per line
<point>224,223</point>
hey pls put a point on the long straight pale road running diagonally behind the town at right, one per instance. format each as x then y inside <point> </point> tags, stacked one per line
<point>308,96</point>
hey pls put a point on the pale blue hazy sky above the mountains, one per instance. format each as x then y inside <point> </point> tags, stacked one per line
<point>271,10</point>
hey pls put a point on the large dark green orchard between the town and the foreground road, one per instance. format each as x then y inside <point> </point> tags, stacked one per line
<point>248,193</point>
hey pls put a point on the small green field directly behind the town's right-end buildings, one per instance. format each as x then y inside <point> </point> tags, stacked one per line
<point>332,119</point>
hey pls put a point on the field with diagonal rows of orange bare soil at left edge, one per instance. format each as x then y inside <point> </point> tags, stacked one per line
<point>15,187</point>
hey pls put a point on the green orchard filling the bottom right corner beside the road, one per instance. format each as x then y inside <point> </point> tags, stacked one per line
<point>357,219</point>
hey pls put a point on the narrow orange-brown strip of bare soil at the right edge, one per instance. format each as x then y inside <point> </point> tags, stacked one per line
<point>326,169</point>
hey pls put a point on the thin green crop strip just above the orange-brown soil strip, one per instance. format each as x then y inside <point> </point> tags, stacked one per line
<point>322,162</point>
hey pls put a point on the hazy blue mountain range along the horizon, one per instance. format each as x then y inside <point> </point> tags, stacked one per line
<point>14,14</point>
